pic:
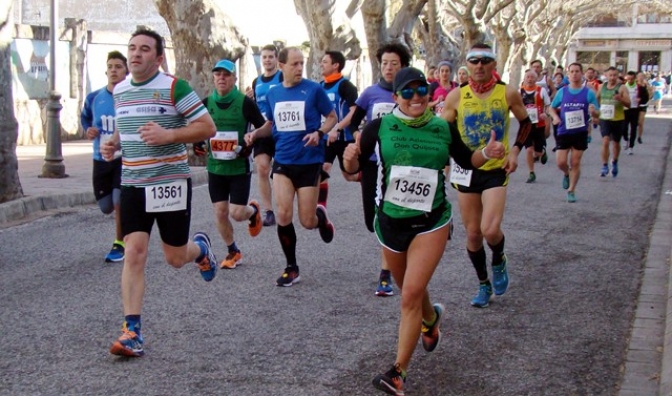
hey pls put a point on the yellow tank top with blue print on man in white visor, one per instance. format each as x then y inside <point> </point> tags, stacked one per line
<point>477,117</point>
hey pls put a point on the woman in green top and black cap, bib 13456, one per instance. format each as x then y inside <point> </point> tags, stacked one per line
<point>412,215</point>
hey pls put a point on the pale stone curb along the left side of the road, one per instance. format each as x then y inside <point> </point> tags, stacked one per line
<point>24,207</point>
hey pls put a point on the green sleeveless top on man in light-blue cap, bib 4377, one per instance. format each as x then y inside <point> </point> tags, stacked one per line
<point>231,128</point>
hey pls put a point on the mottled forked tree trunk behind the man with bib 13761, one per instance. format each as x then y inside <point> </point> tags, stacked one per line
<point>329,29</point>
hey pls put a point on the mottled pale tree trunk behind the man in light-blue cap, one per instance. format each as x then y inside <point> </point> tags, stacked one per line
<point>202,34</point>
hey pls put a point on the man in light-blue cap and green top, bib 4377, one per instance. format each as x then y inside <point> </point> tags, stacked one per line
<point>229,173</point>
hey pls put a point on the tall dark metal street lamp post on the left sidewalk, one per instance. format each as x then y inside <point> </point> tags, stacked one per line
<point>53,166</point>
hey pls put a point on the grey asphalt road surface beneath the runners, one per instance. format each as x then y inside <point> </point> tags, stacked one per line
<point>561,329</point>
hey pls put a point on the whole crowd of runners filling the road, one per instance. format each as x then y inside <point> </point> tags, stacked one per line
<point>404,140</point>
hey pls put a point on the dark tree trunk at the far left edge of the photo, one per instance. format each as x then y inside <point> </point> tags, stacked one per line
<point>10,185</point>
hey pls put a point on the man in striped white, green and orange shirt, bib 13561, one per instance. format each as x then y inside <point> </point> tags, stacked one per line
<point>156,115</point>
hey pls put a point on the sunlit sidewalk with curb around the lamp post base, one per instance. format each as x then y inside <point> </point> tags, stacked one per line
<point>42,196</point>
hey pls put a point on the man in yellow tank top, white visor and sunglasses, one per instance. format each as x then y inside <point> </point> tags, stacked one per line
<point>477,109</point>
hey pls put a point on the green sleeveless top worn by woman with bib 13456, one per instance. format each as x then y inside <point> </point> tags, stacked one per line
<point>413,160</point>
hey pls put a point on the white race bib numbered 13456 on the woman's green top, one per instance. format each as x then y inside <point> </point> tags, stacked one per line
<point>412,187</point>
